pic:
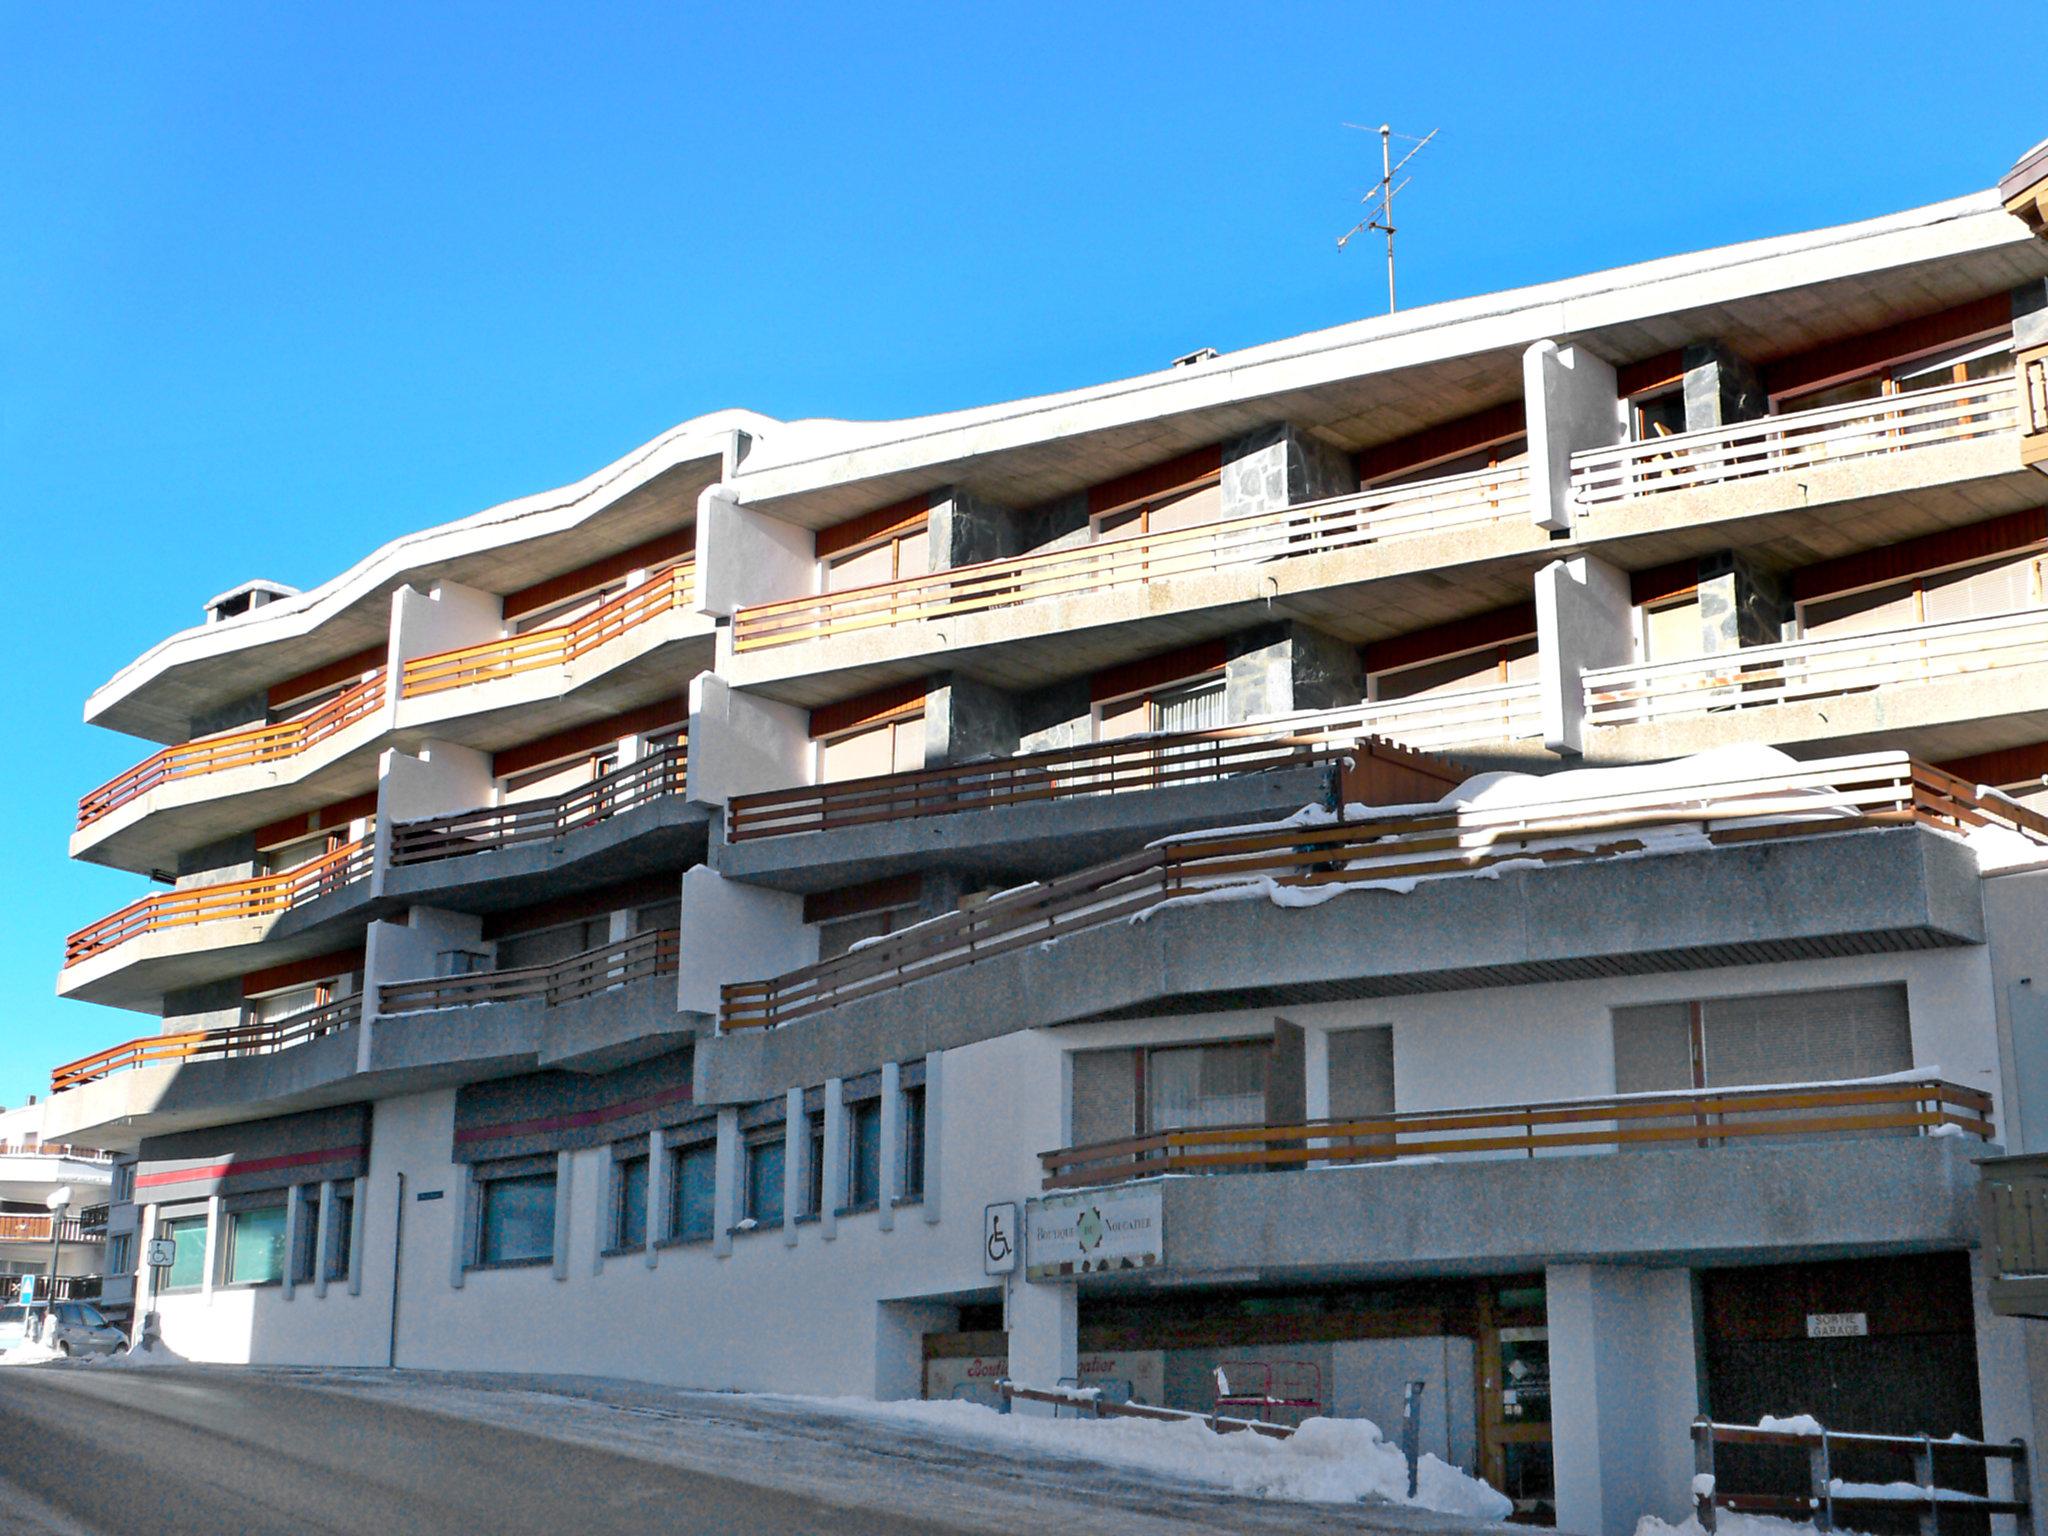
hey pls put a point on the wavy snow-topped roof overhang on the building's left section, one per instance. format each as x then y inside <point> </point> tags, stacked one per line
<point>501,550</point>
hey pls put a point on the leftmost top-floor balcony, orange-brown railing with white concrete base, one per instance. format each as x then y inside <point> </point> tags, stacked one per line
<point>218,785</point>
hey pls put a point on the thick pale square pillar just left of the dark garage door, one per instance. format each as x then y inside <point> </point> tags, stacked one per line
<point>1625,1390</point>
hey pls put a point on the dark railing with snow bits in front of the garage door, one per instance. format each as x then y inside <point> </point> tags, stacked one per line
<point>1826,1492</point>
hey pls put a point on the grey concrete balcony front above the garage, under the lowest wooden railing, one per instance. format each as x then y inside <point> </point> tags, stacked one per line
<point>1816,1199</point>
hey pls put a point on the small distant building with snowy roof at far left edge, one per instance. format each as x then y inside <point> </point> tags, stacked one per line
<point>34,1238</point>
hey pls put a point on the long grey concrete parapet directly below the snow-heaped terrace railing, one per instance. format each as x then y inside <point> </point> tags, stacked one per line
<point>1744,904</point>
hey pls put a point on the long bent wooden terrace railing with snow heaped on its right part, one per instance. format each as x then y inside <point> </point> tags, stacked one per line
<point>1830,796</point>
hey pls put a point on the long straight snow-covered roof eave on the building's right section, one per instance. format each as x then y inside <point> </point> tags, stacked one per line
<point>1381,380</point>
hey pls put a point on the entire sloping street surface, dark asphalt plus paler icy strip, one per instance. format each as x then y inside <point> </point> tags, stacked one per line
<point>89,1451</point>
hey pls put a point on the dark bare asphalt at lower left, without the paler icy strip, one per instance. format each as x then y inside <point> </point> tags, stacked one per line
<point>118,1453</point>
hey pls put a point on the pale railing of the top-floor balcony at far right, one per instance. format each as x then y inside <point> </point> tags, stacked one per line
<point>1777,445</point>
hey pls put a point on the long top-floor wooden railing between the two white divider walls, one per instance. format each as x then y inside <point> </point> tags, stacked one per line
<point>1285,534</point>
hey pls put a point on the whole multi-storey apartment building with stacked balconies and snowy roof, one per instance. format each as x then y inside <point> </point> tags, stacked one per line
<point>644,929</point>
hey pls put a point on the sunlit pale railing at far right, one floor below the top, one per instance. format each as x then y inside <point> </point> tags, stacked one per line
<point>1801,671</point>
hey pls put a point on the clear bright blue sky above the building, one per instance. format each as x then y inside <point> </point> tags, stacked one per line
<point>284,282</point>
